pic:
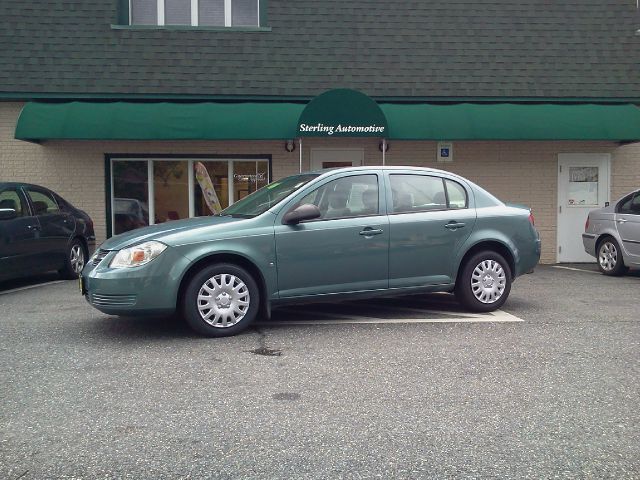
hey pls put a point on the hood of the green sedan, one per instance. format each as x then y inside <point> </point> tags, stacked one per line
<point>163,231</point>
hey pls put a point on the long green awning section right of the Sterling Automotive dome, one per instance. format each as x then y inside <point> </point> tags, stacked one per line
<point>511,121</point>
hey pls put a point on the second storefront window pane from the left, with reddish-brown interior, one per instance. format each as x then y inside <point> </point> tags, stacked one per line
<point>170,190</point>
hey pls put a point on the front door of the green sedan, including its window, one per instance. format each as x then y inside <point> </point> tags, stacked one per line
<point>346,249</point>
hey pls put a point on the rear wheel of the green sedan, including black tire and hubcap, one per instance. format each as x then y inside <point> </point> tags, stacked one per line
<point>494,271</point>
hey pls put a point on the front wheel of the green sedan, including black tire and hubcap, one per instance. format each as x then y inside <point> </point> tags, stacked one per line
<point>223,279</point>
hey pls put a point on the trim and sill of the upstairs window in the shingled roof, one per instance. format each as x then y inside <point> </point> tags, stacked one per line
<point>124,18</point>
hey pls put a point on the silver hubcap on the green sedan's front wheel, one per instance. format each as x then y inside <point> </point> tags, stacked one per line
<point>223,300</point>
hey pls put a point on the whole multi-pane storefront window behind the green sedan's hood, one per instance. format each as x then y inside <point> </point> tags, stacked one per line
<point>179,188</point>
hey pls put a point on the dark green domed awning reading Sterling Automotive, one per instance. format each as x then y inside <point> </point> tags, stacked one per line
<point>342,113</point>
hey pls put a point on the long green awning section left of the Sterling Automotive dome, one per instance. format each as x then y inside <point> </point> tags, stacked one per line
<point>158,121</point>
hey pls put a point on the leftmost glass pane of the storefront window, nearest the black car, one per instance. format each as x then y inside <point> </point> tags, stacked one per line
<point>130,195</point>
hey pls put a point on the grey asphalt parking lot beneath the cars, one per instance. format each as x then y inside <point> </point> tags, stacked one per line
<point>409,387</point>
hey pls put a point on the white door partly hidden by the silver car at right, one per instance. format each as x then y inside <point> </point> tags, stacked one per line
<point>583,185</point>
